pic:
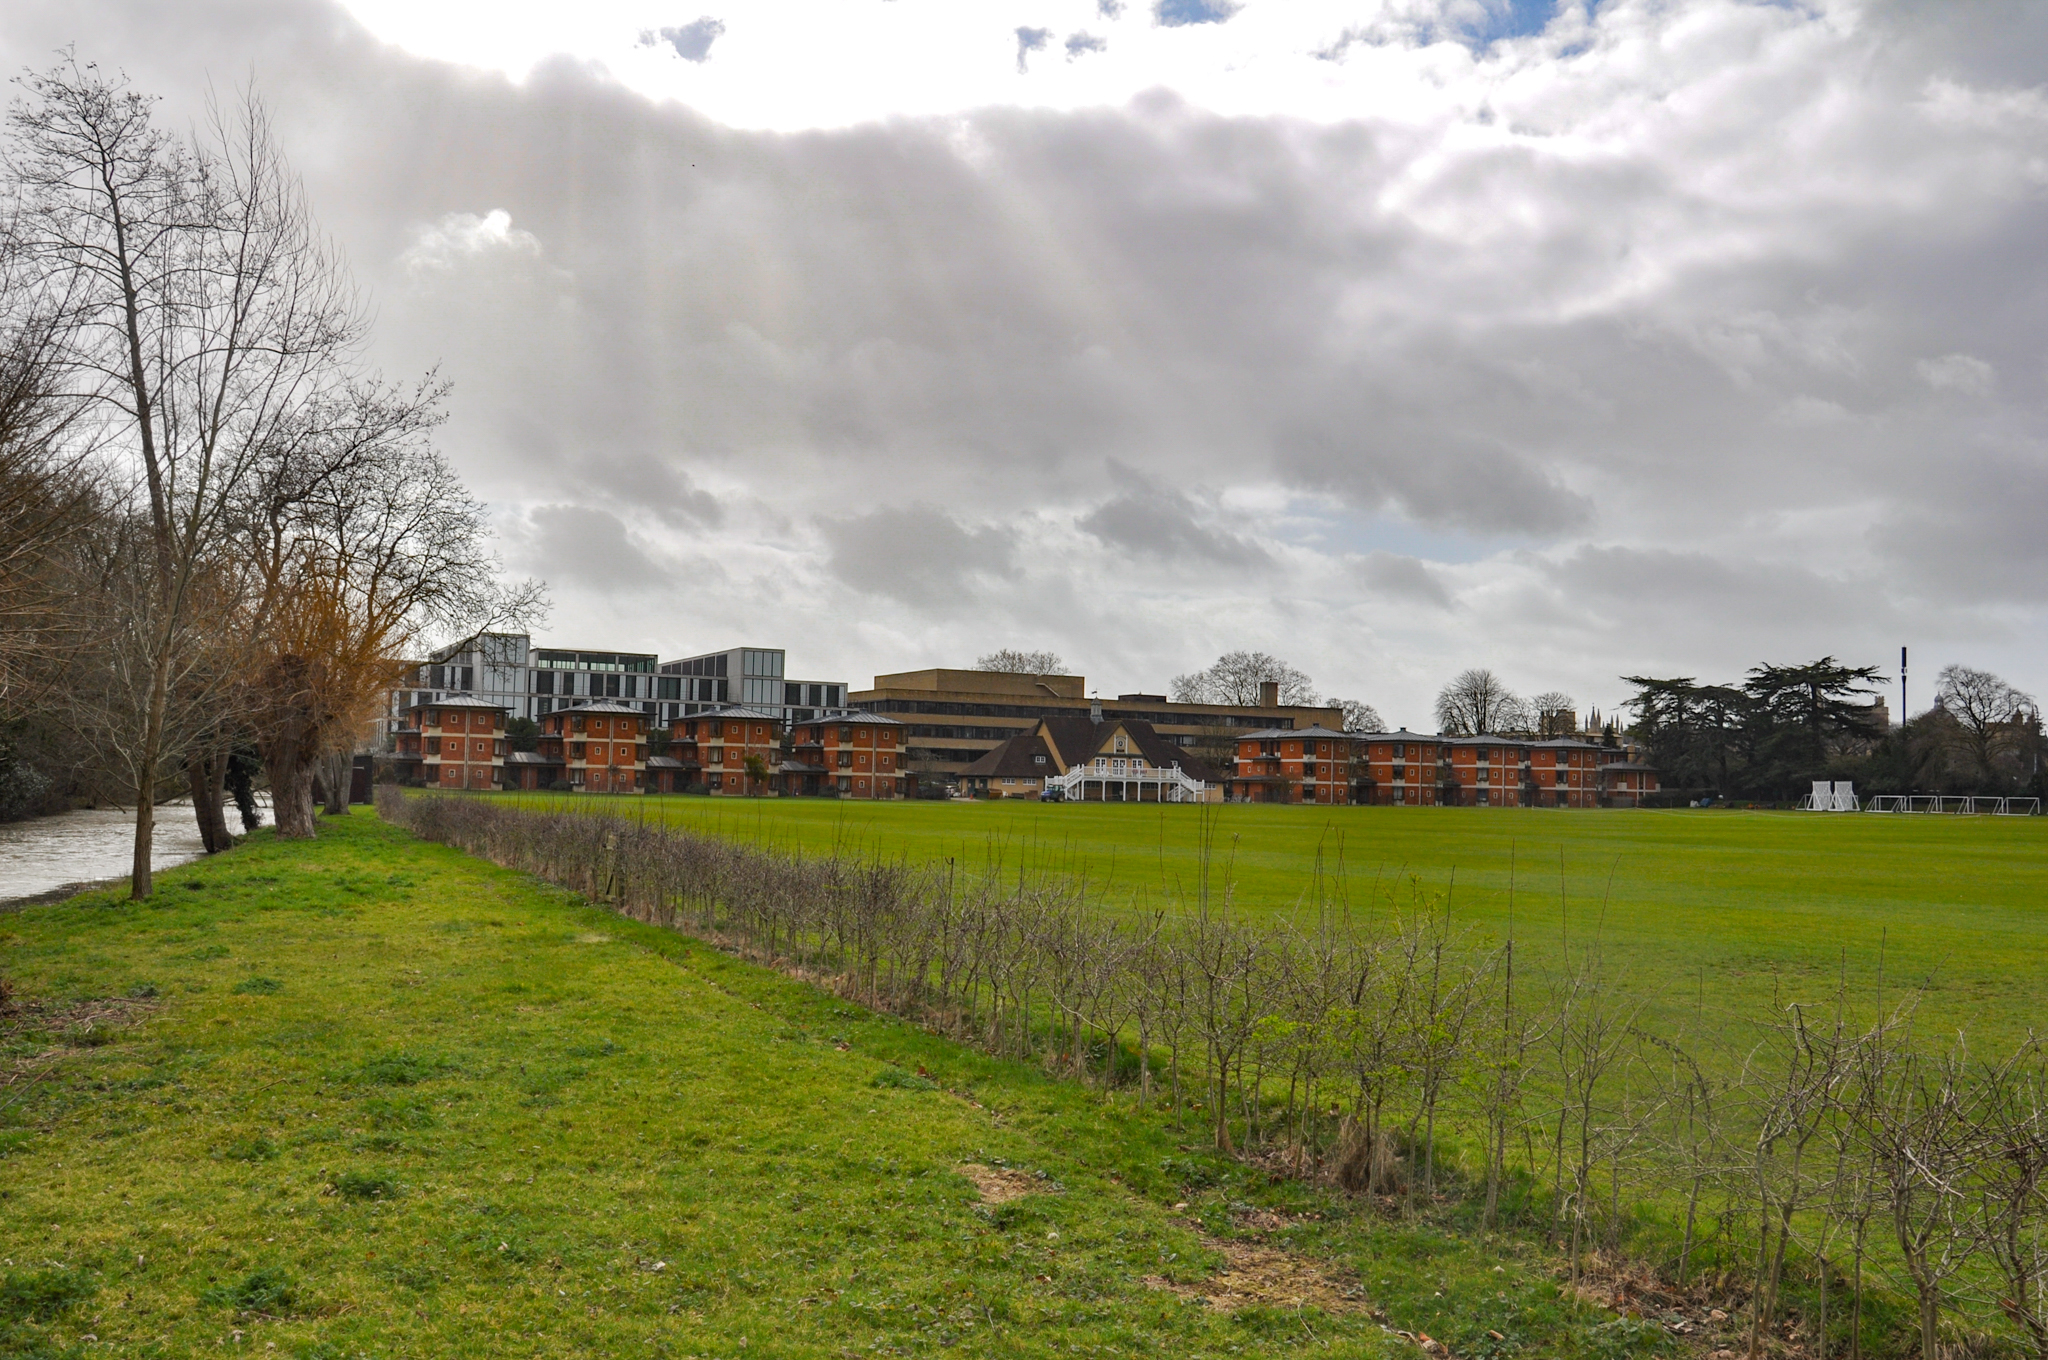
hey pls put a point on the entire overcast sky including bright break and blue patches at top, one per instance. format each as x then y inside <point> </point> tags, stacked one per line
<point>1392,337</point>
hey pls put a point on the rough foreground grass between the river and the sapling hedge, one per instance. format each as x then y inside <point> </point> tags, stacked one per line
<point>370,1097</point>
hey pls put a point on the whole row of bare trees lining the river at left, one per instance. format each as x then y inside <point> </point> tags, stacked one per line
<point>220,527</point>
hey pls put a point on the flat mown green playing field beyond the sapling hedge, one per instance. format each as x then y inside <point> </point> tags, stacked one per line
<point>1727,906</point>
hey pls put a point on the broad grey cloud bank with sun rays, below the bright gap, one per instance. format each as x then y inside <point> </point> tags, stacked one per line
<point>769,345</point>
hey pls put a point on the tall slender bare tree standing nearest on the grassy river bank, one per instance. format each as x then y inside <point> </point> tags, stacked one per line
<point>210,316</point>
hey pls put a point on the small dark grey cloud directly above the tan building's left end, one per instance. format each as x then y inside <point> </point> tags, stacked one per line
<point>919,556</point>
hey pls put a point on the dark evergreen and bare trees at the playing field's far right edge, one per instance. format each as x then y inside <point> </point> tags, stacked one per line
<point>1785,726</point>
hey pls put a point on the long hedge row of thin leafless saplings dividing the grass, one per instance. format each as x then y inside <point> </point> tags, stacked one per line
<point>1801,1152</point>
